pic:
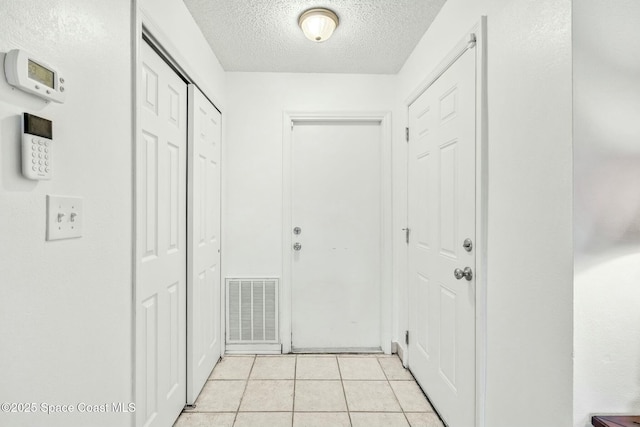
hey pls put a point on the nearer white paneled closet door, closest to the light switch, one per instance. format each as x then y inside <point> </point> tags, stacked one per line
<point>161,249</point>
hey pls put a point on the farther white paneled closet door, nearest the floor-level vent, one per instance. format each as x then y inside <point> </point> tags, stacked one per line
<point>203,318</point>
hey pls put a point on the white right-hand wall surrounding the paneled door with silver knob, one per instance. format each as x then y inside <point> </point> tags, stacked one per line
<point>529,324</point>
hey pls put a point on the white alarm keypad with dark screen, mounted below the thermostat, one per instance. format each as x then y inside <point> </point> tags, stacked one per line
<point>37,147</point>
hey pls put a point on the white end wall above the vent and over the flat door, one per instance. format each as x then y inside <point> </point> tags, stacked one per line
<point>252,203</point>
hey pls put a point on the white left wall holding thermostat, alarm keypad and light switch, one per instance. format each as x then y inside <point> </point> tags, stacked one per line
<point>65,306</point>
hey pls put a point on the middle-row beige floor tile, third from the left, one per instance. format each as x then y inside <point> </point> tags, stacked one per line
<point>319,396</point>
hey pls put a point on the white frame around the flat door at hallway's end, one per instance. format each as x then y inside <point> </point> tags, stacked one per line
<point>386,291</point>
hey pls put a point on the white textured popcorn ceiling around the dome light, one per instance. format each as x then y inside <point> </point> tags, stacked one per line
<point>374,36</point>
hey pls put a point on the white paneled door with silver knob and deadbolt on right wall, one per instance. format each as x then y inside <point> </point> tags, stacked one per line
<point>441,216</point>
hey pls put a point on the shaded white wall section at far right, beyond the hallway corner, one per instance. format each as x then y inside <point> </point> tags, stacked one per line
<point>606,67</point>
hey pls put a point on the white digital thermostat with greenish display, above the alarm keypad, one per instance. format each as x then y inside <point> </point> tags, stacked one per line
<point>34,76</point>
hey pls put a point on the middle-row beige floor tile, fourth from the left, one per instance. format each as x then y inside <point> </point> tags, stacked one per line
<point>370,396</point>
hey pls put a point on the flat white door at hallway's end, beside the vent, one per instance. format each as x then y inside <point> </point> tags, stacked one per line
<point>336,203</point>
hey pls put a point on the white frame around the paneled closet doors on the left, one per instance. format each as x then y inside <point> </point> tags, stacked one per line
<point>144,26</point>
